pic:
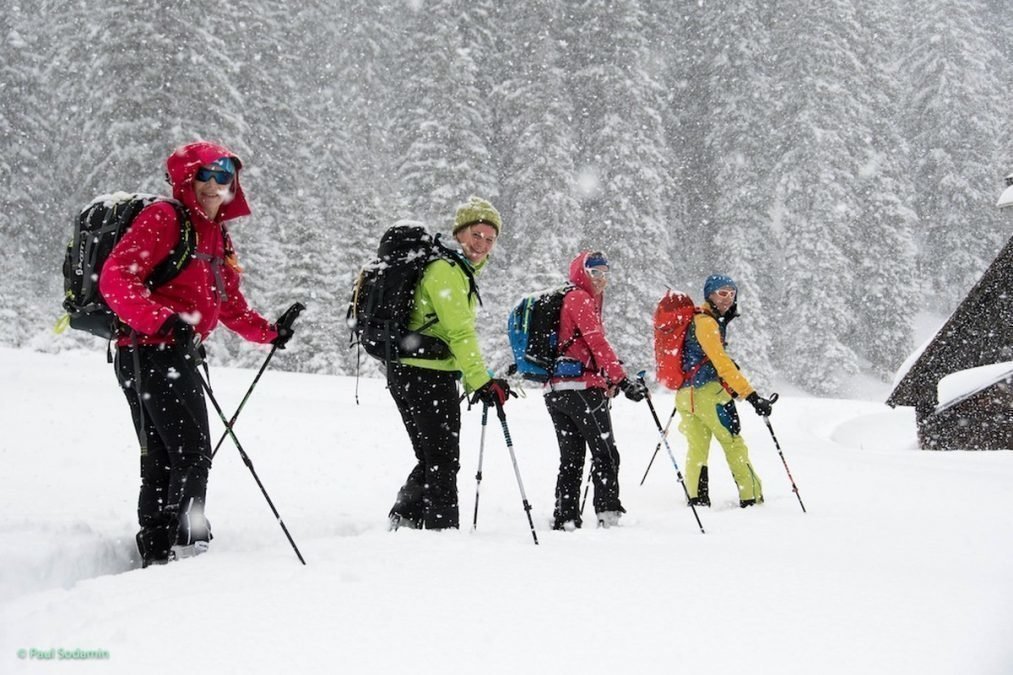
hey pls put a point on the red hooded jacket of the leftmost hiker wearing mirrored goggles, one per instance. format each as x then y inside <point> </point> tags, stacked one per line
<point>207,289</point>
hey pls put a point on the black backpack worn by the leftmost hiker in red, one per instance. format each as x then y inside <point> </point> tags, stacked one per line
<point>98,230</point>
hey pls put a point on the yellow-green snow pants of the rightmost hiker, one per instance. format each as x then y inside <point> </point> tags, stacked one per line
<point>710,411</point>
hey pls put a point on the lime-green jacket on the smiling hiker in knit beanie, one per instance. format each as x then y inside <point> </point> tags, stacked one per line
<point>445,292</point>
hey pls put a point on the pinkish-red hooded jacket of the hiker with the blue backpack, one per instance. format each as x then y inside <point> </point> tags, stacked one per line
<point>582,314</point>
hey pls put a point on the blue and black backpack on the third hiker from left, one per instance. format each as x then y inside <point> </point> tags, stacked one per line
<point>533,330</point>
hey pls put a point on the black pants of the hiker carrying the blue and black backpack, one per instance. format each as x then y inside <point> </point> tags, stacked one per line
<point>583,420</point>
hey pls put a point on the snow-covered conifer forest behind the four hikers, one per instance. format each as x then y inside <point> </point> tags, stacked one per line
<point>840,159</point>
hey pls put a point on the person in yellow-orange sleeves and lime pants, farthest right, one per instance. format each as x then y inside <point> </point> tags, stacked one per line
<point>706,402</point>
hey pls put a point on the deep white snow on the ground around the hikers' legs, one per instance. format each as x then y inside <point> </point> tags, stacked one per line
<point>902,565</point>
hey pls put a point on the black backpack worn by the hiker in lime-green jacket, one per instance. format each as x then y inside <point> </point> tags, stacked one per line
<point>383,296</point>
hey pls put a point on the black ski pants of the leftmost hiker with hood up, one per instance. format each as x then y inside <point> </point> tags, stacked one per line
<point>176,465</point>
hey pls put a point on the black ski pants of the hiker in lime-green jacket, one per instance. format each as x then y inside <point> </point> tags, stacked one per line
<point>430,408</point>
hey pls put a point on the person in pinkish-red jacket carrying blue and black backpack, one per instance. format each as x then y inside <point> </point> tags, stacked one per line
<point>580,406</point>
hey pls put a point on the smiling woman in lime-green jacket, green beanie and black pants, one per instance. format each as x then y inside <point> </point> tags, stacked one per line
<point>426,391</point>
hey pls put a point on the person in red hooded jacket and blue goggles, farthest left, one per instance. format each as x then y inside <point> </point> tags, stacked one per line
<point>157,357</point>
